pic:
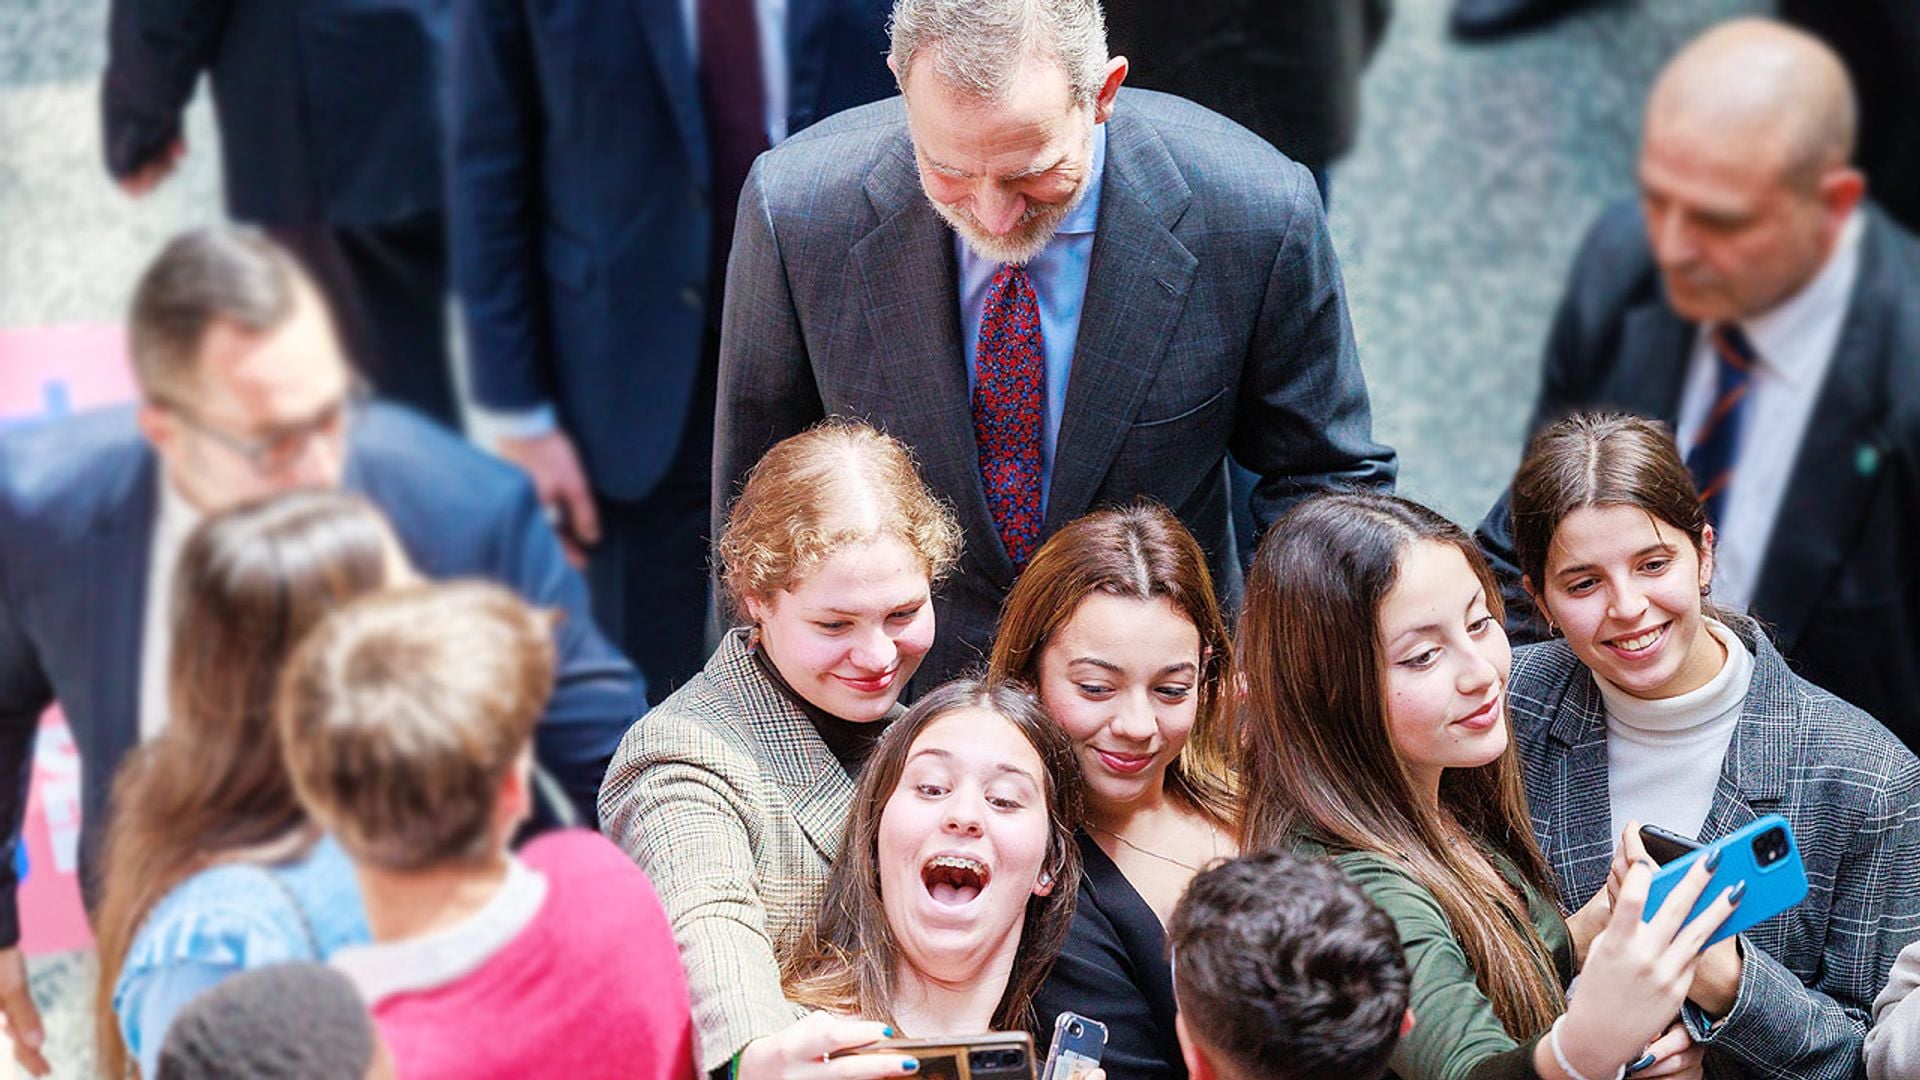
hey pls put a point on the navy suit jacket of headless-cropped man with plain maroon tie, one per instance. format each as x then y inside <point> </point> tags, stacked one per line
<point>579,207</point>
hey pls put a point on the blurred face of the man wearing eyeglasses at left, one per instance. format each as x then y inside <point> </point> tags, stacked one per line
<point>268,412</point>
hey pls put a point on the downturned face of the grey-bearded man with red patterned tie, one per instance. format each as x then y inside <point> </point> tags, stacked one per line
<point>1005,174</point>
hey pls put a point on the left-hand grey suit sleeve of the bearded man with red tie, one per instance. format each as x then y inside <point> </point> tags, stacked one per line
<point>767,387</point>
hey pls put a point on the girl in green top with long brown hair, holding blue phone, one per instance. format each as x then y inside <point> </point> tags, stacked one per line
<point>1376,670</point>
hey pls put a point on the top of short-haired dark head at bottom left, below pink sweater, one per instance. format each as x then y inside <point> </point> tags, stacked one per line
<point>297,1021</point>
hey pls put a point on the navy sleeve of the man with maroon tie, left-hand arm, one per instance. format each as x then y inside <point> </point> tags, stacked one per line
<point>494,218</point>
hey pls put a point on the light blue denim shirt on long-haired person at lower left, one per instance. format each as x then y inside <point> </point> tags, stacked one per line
<point>229,920</point>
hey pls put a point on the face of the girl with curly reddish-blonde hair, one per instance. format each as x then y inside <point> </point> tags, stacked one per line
<point>853,633</point>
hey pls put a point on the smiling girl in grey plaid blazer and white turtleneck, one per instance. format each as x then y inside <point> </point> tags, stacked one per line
<point>1658,708</point>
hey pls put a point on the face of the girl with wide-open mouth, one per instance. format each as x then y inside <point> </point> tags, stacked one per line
<point>963,845</point>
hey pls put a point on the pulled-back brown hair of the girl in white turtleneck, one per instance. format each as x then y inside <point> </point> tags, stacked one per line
<point>1600,460</point>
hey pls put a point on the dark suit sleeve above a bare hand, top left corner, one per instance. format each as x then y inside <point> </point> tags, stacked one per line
<point>156,51</point>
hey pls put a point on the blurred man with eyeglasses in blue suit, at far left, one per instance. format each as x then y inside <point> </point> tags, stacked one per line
<point>245,393</point>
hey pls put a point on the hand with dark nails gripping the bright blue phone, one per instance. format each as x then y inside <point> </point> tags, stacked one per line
<point>1639,971</point>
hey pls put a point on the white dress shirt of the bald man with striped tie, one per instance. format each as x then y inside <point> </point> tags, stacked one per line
<point>1794,345</point>
